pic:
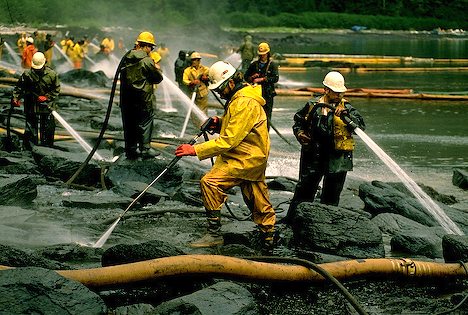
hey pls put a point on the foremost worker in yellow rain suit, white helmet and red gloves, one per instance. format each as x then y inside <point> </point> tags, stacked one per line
<point>241,152</point>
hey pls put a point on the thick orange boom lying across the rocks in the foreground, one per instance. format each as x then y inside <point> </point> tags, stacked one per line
<point>237,268</point>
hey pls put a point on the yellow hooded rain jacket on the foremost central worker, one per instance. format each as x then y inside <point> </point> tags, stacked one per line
<point>243,144</point>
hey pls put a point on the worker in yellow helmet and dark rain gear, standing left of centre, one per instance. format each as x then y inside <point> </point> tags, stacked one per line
<point>137,101</point>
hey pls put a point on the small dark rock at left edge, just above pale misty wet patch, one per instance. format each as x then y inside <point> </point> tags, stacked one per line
<point>17,189</point>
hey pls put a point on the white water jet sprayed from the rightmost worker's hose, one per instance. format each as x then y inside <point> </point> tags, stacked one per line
<point>434,209</point>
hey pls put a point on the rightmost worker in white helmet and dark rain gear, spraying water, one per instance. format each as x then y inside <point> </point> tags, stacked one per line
<point>327,144</point>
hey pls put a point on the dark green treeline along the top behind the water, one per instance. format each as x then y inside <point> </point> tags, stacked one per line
<point>379,14</point>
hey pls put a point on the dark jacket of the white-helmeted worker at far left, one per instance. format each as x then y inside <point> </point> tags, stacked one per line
<point>33,83</point>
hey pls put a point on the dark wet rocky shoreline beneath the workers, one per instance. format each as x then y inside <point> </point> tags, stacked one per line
<point>47,225</point>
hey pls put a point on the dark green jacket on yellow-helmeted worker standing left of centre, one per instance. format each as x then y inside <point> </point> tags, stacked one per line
<point>138,75</point>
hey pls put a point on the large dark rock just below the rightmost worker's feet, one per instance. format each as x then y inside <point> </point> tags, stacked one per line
<point>336,231</point>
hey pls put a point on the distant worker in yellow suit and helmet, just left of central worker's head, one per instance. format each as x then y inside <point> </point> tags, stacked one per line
<point>196,78</point>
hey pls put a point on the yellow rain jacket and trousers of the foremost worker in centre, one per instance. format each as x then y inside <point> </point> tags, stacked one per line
<point>241,152</point>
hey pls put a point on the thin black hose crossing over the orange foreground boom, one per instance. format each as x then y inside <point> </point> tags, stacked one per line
<point>319,270</point>
